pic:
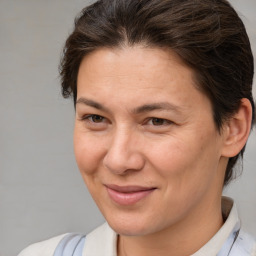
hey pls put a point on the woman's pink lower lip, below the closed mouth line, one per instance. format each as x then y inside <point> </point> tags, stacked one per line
<point>128,198</point>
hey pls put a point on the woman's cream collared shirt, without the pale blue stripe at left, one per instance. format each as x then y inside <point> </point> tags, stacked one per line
<point>229,240</point>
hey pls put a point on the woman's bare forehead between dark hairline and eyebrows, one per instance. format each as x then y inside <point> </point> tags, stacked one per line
<point>137,74</point>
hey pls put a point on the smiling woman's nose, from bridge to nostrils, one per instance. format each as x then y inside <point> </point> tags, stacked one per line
<point>123,154</point>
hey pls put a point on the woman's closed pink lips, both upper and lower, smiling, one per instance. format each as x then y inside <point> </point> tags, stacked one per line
<point>128,195</point>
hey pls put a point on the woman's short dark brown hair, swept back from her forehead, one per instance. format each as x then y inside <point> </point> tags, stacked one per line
<point>208,35</point>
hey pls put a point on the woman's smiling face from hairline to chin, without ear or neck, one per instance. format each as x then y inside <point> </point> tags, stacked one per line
<point>145,140</point>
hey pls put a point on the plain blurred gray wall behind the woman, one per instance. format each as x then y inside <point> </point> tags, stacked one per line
<point>41,192</point>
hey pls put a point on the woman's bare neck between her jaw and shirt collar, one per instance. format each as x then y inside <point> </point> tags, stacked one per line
<point>193,232</point>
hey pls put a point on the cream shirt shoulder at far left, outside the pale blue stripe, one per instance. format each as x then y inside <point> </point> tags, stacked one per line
<point>44,248</point>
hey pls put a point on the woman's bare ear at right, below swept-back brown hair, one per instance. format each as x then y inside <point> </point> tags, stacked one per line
<point>237,129</point>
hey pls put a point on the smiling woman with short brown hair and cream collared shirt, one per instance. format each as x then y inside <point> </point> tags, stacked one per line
<point>164,107</point>
